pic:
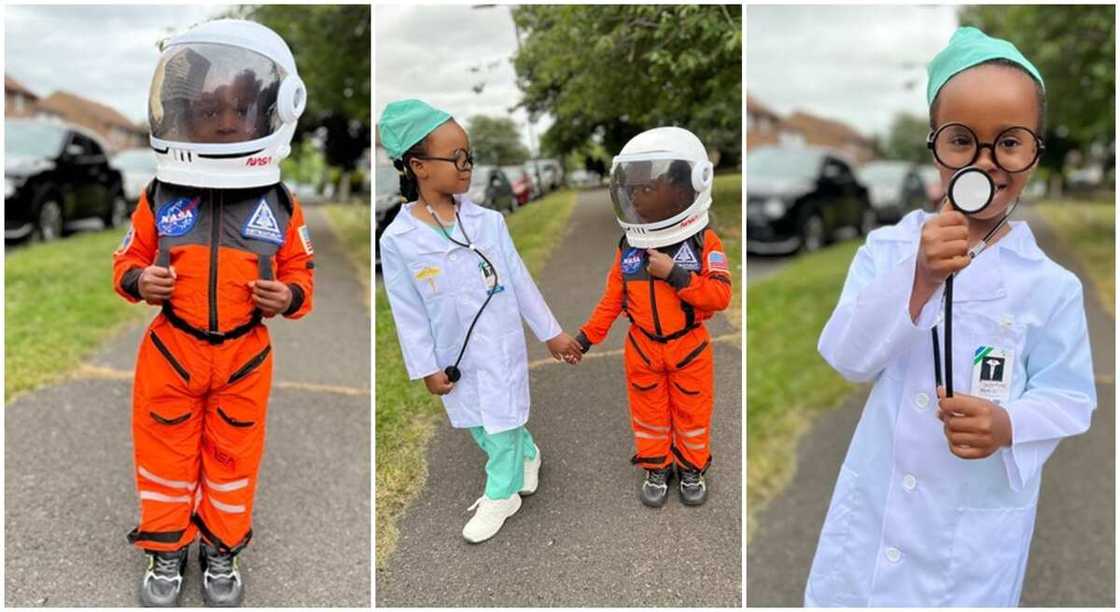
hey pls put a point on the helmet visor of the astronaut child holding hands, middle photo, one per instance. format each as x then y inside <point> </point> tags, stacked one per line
<point>648,192</point>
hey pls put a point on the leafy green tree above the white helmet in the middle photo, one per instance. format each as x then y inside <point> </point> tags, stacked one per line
<point>610,72</point>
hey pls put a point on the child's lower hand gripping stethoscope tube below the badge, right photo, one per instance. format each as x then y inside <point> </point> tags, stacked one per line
<point>975,428</point>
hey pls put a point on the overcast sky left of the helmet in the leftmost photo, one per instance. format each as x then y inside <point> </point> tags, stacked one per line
<point>105,53</point>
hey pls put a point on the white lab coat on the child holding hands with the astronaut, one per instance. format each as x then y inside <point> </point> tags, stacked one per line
<point>435,291</point>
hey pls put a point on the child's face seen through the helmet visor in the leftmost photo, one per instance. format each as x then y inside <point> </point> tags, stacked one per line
<point>229,114</point>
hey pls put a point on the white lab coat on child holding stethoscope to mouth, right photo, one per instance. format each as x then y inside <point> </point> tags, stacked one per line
<point>910,524</point>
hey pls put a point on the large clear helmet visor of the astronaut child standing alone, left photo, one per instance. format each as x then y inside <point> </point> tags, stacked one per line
<point>209,94</point>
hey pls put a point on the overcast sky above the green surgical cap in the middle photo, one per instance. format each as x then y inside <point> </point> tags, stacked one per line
<point>441,53</point>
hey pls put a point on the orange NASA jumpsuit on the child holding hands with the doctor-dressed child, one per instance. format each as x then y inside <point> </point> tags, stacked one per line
<point>669,366</point>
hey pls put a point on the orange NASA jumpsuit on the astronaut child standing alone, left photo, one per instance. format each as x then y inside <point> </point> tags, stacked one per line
<point>206,366</point>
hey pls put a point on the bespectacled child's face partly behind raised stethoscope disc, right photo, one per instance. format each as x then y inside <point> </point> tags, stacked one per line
<point>990,99</point>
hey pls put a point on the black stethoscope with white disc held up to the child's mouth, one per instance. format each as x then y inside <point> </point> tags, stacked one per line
<point>970,191</point>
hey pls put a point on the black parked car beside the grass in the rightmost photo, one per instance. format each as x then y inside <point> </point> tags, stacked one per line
<point>800,198</point>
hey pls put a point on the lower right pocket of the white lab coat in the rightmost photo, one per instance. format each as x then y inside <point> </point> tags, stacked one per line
<point>990,550</point>
